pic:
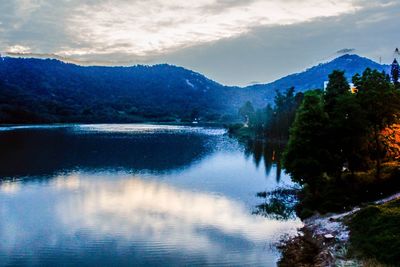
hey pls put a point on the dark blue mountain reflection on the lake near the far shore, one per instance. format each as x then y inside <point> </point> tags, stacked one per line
<point>48,151</point>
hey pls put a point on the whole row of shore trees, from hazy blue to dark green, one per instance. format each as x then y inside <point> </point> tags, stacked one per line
<point>342,145</point>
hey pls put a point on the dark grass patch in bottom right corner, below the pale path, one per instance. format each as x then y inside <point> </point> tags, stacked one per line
<point>375,233</point>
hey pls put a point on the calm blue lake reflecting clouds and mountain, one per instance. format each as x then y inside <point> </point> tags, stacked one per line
<point>134,195</point>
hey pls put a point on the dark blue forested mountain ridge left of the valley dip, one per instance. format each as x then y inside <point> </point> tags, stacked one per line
<point>50,90</point>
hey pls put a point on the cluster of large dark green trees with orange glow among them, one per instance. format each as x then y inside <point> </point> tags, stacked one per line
<point>344,142</point>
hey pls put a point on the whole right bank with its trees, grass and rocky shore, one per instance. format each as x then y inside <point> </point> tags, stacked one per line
<point>342,146</point>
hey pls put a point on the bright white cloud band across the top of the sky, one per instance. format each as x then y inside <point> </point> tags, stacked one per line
<point>156,27</point>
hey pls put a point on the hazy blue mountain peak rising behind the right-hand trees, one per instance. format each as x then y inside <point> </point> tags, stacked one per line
<point>315,77</point>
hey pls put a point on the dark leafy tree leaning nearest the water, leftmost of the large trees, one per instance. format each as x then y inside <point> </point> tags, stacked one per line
<point>306,157</point>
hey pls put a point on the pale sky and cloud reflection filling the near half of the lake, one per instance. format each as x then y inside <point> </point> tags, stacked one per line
<point>92,211</point>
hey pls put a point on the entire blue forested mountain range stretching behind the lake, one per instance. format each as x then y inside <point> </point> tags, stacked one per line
<point>48,90</point>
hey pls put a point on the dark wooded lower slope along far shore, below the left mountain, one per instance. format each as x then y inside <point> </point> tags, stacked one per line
<point>20,106</point>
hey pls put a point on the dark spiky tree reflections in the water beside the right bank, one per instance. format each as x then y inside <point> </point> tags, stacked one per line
<point>268,152</point>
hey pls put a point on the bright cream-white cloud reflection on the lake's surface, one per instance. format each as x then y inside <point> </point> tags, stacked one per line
<point>135,202</point>
